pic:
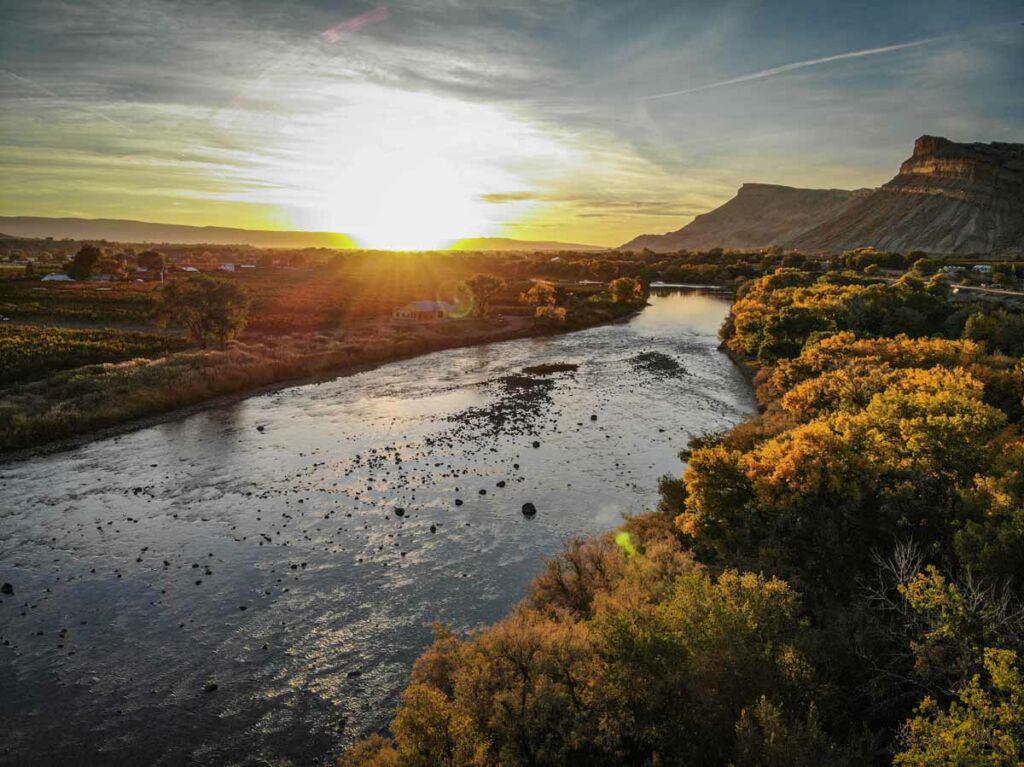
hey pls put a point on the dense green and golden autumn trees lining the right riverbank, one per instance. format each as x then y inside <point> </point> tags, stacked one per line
<point>836,582</point>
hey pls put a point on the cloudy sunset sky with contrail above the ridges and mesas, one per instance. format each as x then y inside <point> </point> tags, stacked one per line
<point>411,124</point>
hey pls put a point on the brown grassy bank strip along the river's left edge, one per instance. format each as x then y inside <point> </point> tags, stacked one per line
<point>102,401</point>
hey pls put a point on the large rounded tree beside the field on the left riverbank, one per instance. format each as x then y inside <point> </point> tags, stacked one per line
<point>208,309</point>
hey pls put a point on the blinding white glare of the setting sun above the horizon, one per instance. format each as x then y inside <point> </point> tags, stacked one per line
<point>404,172</point>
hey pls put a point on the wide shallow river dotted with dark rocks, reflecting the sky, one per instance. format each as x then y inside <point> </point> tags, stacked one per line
<point>260,548</point>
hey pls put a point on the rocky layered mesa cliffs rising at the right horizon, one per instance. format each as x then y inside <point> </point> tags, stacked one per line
<point>948,198</point>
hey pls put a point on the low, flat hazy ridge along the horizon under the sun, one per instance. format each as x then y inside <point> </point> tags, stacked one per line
<point>124,231</point>
